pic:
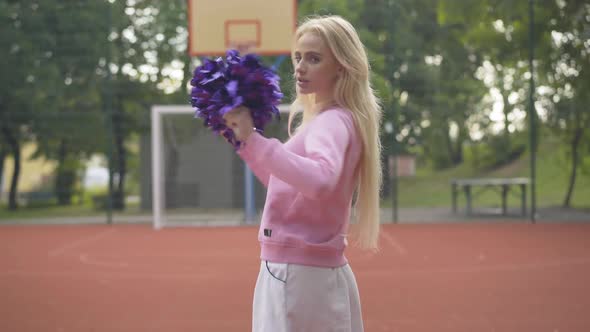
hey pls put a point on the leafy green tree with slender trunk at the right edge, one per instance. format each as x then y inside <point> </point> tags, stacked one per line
<point>566,71</point>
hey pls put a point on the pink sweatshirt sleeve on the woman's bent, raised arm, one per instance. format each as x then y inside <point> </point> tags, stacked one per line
<point>315,174</point>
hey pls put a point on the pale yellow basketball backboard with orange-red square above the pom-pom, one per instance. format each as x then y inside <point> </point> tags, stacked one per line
<point>264,27</point>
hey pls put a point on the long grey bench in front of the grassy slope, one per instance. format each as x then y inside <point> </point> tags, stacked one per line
<point>504,184</point>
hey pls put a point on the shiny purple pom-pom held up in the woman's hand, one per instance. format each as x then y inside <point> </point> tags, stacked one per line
<point>220,86</point>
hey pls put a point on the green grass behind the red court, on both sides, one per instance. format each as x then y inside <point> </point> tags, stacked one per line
<point>427,189</point>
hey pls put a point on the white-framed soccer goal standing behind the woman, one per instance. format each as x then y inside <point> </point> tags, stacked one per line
<point>197,178</point>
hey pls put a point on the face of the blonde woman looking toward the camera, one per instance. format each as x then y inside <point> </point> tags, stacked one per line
<point>316,68</point>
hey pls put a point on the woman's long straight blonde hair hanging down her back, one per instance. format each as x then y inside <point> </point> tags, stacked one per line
<point>353,92</point>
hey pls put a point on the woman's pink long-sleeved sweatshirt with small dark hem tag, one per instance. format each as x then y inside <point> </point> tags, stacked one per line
<point>310,179</point>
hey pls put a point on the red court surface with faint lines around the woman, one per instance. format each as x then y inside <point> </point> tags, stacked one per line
<point>428,277</point>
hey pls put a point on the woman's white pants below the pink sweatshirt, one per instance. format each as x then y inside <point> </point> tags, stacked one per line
<point>298,298</point>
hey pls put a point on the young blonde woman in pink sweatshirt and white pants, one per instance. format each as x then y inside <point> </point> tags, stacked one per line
<point>305,282</point>
